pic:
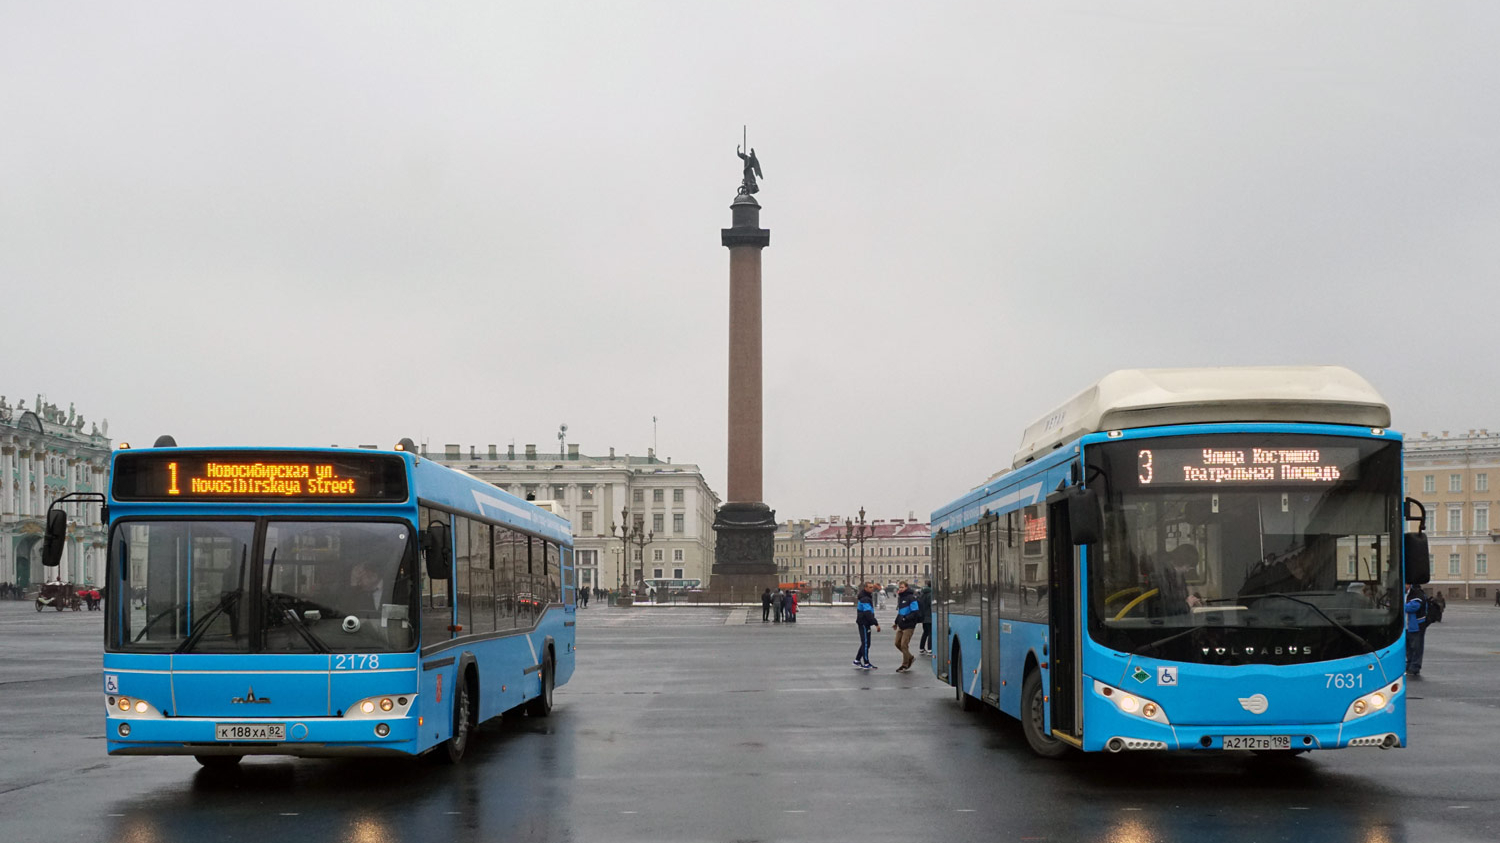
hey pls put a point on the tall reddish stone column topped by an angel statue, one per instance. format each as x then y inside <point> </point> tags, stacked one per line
<point>745,526</point>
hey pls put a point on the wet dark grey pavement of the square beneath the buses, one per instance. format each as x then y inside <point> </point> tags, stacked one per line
<point>709,725</point>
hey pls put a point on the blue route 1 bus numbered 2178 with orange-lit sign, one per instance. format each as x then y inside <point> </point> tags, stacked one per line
<point>322,602</point>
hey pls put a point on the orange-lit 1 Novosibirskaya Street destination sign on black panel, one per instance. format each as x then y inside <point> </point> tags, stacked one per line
<point>259,476</point>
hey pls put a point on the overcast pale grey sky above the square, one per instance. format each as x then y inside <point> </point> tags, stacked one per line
<point>470,223</point>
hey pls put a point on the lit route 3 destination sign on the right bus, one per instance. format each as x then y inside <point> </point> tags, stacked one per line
<point>1247,466</point>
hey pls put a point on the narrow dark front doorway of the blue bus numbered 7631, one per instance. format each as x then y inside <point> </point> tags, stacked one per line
<point>1063,602</point>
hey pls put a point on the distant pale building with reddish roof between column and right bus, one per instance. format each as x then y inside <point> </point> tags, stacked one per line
<point>895,550</point>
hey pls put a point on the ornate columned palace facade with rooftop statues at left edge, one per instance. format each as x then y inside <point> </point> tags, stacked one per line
<point>46,454</point>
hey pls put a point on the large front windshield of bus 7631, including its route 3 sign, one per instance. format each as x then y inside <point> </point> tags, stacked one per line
<point>1247,548</point>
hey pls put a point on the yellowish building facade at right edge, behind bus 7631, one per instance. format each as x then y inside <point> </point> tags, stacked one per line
<point>1457,478</point>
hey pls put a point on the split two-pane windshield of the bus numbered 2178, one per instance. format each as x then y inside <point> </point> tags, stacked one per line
<point>317,587</point>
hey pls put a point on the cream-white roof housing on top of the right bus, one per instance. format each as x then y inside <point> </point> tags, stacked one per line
<point>1148,398</point>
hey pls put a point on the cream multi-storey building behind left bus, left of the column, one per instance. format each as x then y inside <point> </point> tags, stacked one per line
<point>671,502</point>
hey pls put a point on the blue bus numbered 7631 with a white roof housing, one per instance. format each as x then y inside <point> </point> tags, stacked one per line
<point>1189,560</point>
